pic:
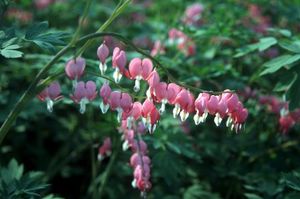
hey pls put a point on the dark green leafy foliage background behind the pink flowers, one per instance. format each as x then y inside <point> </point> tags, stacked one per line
<point>188,161</point>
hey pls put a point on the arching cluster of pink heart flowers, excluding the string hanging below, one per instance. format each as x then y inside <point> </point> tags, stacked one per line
<point>225,105</point>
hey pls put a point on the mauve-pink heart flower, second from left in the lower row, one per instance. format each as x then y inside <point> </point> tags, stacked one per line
<point>84,93</point>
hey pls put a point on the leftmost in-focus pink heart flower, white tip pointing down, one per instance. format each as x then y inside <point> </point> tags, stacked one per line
<point>50,94</point>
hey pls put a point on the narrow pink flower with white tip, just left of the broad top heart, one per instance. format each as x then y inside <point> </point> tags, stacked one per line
<point>119,60</point>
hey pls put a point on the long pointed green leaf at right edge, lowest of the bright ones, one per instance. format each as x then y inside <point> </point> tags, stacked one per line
<point>277,63</point>
